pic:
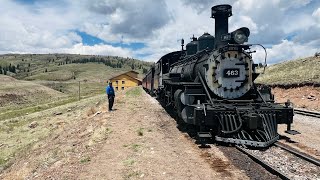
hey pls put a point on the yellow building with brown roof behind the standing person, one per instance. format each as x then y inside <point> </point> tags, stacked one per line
<point>125,80</point>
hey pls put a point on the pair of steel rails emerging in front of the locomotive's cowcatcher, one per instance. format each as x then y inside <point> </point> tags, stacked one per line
<point>271,168</point>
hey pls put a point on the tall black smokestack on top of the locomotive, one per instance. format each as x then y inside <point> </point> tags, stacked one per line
<point>221,13</point>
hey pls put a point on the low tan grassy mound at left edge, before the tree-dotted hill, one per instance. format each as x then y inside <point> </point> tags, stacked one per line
<point>19,97</point>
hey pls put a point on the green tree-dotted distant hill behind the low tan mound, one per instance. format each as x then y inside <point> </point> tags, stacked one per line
<point>62,72</point>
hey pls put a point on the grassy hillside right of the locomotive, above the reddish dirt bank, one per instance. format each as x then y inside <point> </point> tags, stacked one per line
<point>306,70</point>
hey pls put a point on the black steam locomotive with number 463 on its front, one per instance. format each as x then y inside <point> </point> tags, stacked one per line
<point>211,85</point>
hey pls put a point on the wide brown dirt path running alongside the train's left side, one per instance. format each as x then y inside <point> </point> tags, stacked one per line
<point>137,141</point>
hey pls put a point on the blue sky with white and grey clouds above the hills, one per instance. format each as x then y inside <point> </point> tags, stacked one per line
<point>148,29</point>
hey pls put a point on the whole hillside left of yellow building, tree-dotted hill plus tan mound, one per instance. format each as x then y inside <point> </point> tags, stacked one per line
<point>34,82</point>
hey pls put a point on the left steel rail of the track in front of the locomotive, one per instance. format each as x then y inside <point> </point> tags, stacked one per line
<point>263,164</point>
